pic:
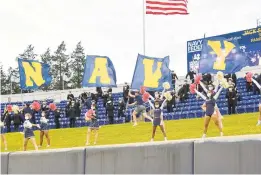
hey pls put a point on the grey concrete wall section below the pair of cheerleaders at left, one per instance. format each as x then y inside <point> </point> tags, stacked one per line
<point>61,161</point>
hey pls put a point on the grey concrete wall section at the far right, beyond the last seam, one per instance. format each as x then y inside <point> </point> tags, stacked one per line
<point>231,155</point>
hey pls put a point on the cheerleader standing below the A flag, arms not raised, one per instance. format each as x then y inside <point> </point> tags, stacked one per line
<point>94,126</point>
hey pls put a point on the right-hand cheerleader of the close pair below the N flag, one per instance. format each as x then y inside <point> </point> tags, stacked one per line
<point>44,129</point>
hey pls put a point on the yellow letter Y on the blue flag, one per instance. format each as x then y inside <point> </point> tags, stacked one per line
<point>220,64</point>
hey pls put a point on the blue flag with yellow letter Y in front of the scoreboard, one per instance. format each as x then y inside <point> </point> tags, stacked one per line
<point>218,54</point>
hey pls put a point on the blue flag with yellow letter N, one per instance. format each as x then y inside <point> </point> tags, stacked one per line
<point>33,74</point>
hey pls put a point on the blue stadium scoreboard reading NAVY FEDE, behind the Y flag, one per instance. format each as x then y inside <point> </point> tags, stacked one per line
<point>249,43</point>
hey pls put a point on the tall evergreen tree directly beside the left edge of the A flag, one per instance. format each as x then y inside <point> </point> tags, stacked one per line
<point>78,61</point>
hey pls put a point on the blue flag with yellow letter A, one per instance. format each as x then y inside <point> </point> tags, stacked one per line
<point>99,72</point>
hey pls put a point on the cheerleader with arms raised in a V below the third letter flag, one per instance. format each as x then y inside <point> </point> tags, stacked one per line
<point>158,118</point>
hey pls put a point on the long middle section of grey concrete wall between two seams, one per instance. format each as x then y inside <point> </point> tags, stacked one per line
<point>147,158</point>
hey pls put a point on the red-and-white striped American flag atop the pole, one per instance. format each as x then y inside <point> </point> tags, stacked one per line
<point>166,7</point>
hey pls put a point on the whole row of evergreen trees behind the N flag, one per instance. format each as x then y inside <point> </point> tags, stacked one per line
<point>66,70</point>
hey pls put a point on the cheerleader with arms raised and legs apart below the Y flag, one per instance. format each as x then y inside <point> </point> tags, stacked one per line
<point>210,108</point>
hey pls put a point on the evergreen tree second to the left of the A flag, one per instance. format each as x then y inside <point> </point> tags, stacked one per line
<point>60,63</point>
